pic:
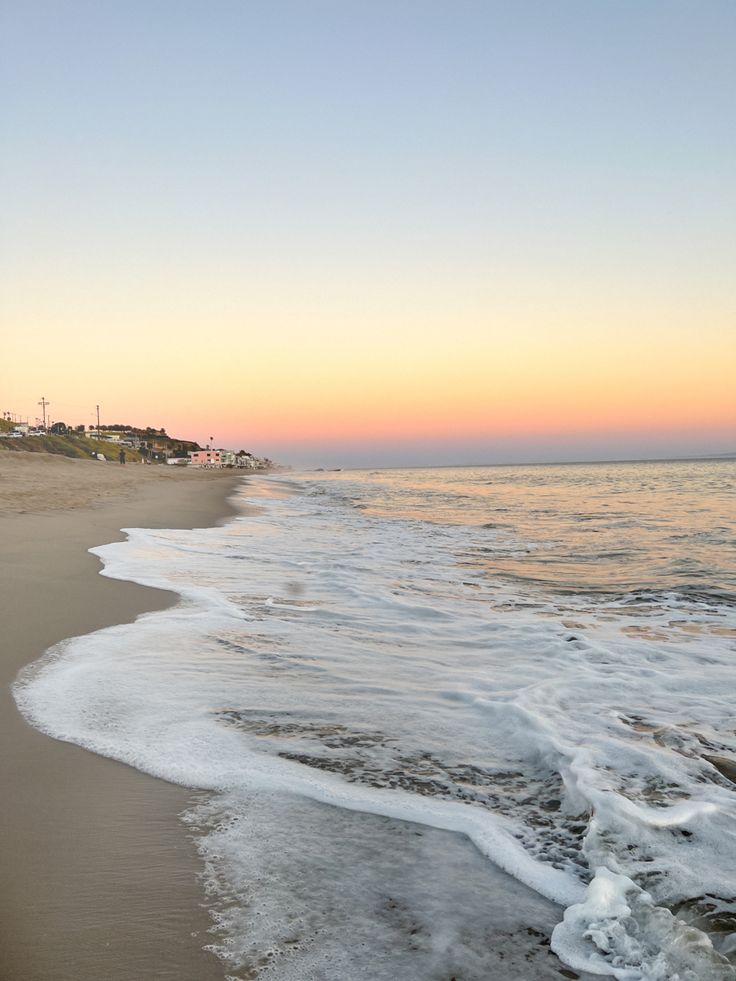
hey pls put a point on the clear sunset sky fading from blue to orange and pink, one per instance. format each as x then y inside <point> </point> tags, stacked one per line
<point>364,233</point>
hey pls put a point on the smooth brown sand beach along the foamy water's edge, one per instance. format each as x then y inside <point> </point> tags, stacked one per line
<point>98,878</point>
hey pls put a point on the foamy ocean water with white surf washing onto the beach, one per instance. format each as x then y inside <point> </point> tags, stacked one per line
<point>463,723</point>
